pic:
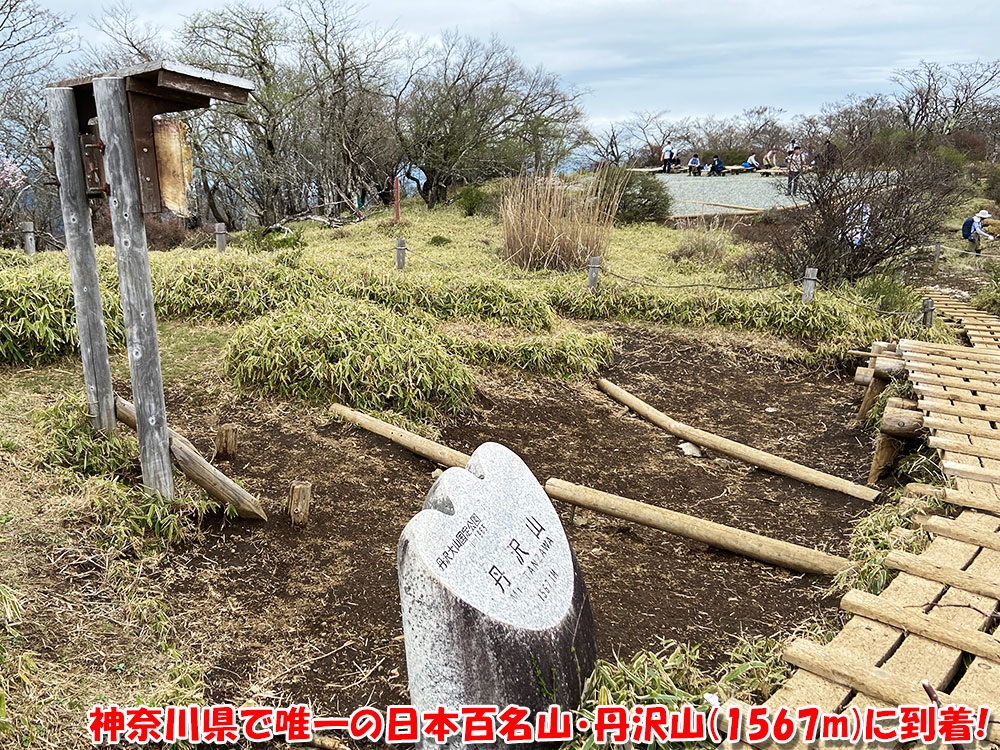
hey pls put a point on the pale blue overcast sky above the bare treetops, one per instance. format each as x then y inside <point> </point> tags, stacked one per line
<point>699,57</point>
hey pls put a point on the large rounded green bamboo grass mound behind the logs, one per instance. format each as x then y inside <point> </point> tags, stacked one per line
<point>359,354</point>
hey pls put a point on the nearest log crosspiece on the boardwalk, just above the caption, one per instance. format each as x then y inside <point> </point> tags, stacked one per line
<point>862,677</point>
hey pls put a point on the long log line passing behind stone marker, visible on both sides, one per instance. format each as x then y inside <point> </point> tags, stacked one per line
<point>774,551</point>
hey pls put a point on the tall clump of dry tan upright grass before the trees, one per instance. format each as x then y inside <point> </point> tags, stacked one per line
<point>548,224</point>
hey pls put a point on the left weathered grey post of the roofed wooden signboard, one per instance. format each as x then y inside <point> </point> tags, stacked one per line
<point>65,129</point>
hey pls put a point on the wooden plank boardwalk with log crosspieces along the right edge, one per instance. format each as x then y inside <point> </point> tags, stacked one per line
<point>928,623</point>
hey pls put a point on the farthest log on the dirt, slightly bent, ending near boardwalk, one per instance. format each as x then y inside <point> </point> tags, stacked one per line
<point>753,456</point>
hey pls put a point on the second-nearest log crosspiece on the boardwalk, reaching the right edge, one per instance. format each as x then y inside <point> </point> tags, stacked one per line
<point>913,620</point>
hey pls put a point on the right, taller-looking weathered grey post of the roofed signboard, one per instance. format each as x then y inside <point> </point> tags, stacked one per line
<point>136,287</point>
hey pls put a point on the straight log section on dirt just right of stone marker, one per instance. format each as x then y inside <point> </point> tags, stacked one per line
<point>775,551</point>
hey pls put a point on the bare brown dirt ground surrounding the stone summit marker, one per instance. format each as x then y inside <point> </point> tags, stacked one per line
<point>312,614</point>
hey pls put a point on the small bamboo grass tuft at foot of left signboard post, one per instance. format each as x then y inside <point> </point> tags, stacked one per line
<point>69,442</point>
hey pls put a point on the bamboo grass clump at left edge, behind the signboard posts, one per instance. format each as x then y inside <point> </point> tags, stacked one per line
<point>38,317</point>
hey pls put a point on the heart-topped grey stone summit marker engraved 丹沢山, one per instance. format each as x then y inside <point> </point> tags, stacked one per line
<point>495,610</point>
